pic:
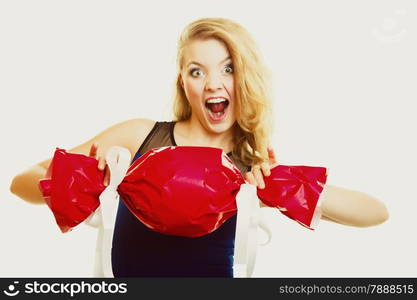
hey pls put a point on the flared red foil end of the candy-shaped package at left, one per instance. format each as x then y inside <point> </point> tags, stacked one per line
<point>71,188</point>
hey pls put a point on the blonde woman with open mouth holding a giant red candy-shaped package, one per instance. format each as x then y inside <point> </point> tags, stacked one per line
<point>221,101</point>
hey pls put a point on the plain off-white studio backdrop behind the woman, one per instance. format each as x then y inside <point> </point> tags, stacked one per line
<point>344,78</point>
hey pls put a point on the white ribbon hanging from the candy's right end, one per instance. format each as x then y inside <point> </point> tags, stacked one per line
<point>246,239</point>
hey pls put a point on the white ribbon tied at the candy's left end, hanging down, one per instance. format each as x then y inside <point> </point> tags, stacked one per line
<point>118,161</point>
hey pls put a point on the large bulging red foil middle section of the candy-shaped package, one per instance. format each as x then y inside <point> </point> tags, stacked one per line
<point>188,192</point>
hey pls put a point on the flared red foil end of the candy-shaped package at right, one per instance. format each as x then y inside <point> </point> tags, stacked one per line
<point>294,190</point>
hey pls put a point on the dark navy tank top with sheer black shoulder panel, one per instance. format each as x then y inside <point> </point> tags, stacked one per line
<point>141,252</point>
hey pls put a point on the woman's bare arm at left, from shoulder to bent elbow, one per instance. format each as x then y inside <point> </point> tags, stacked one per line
<point>129,134</point>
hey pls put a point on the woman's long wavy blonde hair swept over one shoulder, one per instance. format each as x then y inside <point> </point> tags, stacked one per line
<point>253,105</point>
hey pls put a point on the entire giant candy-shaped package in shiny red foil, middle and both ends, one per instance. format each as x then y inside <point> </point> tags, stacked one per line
<point>182,190</point>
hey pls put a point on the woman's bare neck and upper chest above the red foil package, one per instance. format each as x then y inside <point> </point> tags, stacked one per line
<point>192,133</point>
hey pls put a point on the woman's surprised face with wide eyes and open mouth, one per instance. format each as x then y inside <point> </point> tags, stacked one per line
<point>208,81</point>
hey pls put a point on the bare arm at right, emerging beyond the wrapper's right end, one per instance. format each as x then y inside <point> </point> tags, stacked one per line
<point>352,208</point>
